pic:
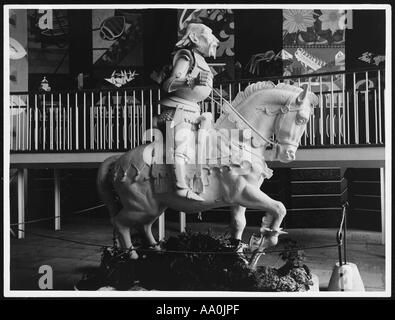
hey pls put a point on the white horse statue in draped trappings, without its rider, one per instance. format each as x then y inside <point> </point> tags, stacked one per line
<point>137,190</point>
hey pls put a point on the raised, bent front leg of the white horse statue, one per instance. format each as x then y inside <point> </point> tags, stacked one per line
<point>253,197</point>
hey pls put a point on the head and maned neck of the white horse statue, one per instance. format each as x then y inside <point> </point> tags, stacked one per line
<point>281,110</point>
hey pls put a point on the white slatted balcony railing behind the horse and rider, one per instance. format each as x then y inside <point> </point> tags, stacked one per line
<point>350,113</point>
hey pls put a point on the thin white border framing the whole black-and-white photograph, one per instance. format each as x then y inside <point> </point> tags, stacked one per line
<point>192,294</point>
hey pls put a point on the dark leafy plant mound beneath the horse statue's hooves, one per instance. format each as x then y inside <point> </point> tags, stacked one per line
<point>194,262</point>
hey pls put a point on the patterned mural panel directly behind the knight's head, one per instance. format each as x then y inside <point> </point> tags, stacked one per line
<point>221,21</point>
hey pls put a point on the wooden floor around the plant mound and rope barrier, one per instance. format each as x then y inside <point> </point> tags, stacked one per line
<point>70,261</point>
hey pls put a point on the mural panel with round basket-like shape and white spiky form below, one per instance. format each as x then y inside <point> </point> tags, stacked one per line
<point>117,44</point>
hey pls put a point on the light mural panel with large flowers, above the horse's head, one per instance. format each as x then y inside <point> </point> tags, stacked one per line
<point>314,42</point>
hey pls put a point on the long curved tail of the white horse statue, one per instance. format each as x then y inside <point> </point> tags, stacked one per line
<point>105,187</point>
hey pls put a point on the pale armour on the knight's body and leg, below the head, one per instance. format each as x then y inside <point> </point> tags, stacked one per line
<point>182,109</point>
